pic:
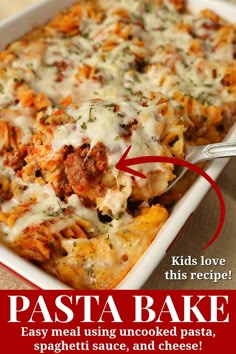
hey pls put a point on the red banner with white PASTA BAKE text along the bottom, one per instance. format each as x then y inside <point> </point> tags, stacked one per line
<point>118,321</point>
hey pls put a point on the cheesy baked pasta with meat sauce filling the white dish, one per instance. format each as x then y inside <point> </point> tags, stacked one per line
<point>74,94</point>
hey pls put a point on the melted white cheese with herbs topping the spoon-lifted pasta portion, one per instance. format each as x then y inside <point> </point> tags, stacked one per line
<point>100,123</point>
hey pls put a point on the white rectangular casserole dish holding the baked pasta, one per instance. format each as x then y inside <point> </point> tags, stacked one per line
<point>13,28</point>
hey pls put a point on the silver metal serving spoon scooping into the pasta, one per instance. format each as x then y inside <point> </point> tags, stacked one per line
<point>195,154</point>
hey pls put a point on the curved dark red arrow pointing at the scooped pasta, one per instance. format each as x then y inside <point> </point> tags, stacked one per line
<point>124,163</point>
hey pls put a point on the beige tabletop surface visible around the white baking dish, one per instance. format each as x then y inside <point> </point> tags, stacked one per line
<point>195,235</point>
